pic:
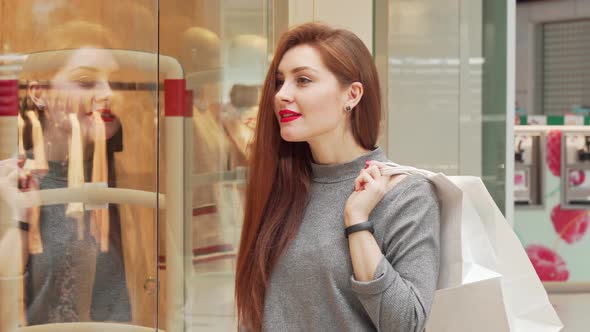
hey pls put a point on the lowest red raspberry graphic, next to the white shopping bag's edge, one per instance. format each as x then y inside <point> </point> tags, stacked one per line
<point>547,263</point>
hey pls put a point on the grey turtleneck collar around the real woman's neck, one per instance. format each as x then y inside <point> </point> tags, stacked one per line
<point>346,171</point>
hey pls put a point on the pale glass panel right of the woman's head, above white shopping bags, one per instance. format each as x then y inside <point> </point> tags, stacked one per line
<point>446,76</point>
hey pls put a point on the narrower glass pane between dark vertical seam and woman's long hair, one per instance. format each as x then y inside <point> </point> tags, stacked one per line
<point>223,49</point>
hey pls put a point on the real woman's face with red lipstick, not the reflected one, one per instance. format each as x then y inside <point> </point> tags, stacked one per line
<point>309,100</point>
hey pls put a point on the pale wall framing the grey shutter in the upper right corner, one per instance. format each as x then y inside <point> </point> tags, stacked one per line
<point>528,15</point>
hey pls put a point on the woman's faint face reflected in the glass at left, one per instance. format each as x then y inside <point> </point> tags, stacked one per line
<point>82,86</point>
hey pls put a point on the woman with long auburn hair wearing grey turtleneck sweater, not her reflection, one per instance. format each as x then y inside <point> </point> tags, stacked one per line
<point>315,172</point>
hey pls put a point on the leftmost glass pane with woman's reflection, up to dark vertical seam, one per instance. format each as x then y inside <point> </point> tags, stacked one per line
<point>84,132</point>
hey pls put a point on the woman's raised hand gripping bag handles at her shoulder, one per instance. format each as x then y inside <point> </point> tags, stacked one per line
<point>369,188</point>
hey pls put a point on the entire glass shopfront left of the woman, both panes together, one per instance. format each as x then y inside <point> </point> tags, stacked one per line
<point>129,122</point>
